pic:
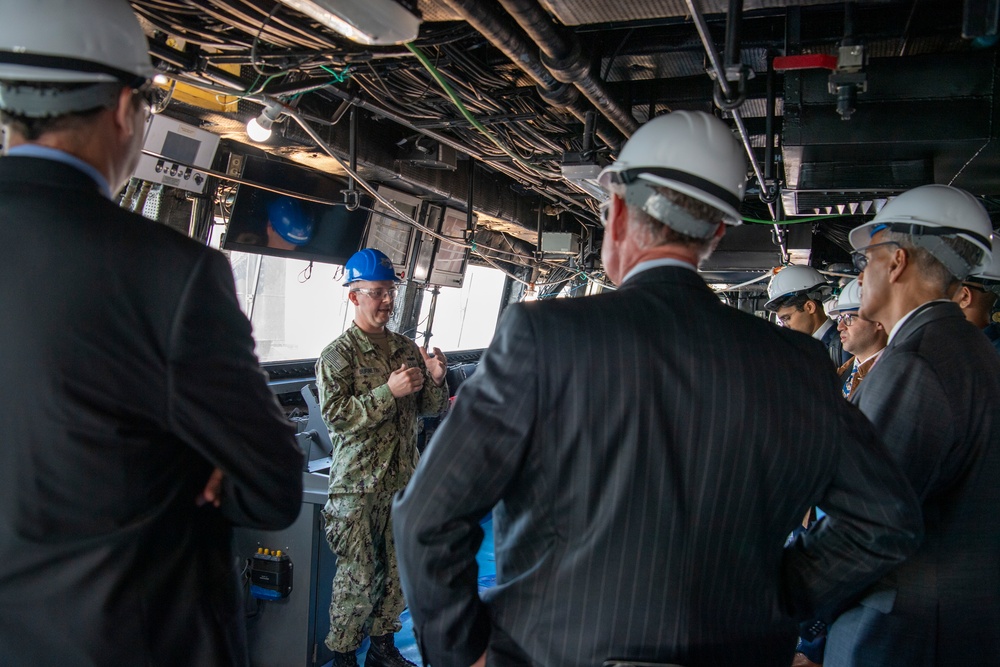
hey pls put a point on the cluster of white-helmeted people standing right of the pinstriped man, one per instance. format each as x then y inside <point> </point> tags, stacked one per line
<point>910,321</point>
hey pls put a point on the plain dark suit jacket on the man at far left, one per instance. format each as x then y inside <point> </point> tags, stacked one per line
<point>127,374</point>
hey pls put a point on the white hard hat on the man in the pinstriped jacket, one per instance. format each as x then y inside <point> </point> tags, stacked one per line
<point>691,152</point>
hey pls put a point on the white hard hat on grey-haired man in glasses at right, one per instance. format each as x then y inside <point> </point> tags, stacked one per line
<point>929,212</point>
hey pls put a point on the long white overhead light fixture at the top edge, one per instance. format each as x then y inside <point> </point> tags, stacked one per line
<point>364,21</point>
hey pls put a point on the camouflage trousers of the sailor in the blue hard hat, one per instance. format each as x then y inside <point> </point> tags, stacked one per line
<point>367,598</point>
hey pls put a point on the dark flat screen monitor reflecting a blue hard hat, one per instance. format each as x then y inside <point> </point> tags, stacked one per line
<point>268,223</point>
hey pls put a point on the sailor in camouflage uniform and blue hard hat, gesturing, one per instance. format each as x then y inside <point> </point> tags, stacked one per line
<point>373,383</point>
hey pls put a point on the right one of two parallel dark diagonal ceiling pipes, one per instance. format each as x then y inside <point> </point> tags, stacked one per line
<point>565,59</point>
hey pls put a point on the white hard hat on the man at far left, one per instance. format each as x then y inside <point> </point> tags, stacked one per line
<point>69,41</point>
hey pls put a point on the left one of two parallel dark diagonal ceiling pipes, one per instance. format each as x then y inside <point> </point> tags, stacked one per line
<point>505,36</point>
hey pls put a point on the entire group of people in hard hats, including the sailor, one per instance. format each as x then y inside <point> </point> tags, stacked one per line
<point>645,452</point>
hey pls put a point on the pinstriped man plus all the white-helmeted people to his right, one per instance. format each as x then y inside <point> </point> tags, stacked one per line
<point>644,448</point>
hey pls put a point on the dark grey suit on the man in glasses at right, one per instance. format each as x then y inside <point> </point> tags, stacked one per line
<point>934,395</point>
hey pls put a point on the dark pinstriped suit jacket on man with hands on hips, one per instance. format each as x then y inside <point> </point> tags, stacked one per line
<point>648,451</point>
